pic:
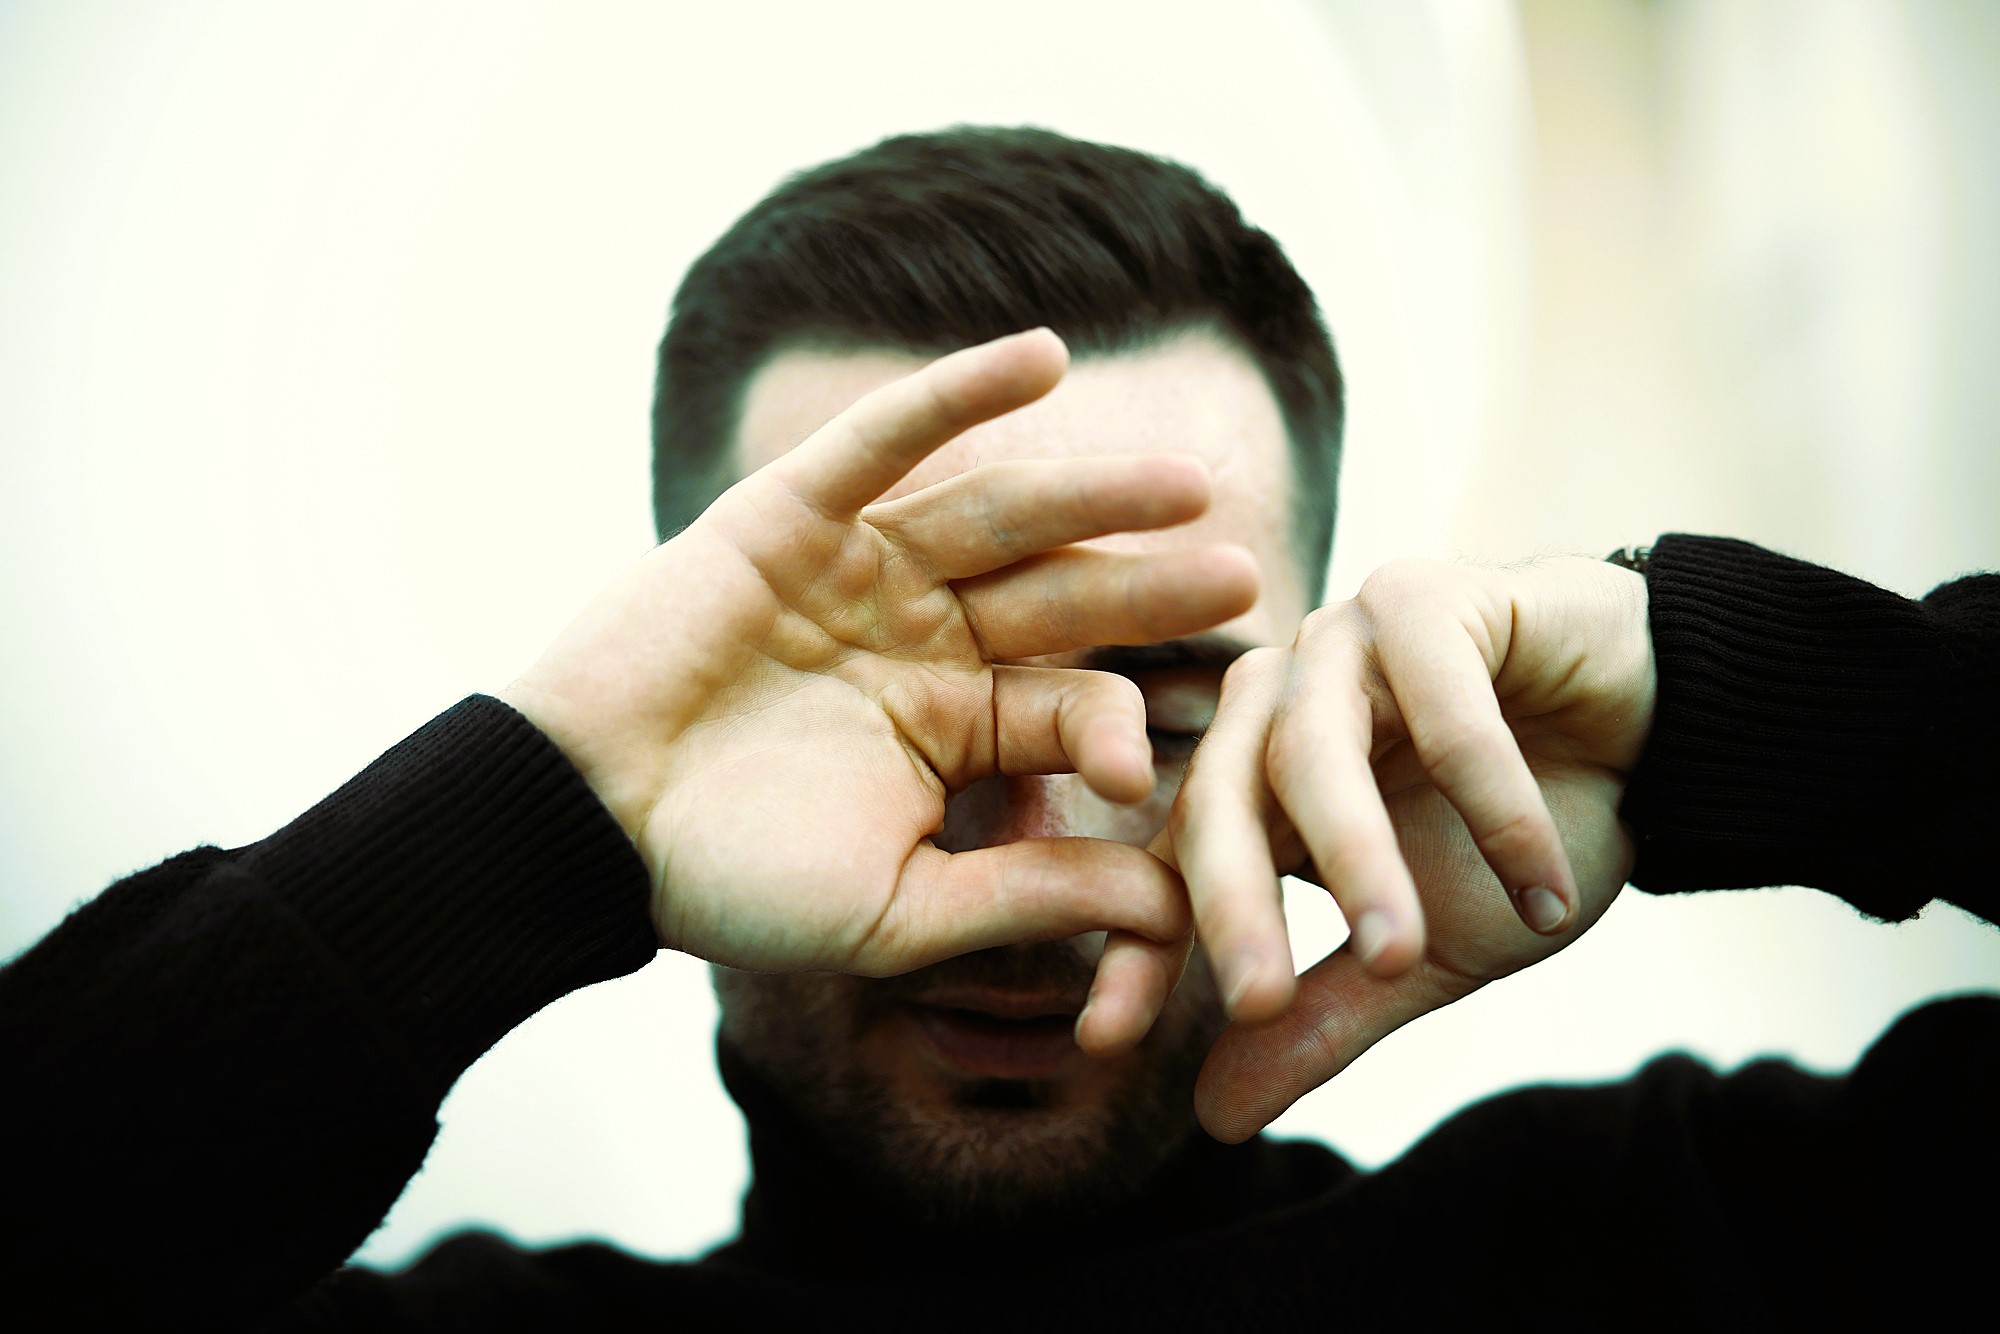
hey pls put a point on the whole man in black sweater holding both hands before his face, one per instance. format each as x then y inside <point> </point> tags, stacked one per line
<point>849,721</point>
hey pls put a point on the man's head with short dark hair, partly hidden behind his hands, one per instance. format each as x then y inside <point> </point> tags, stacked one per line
<point>961,1087</point>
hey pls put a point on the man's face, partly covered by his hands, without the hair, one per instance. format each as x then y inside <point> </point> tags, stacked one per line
<point>959,1087</point>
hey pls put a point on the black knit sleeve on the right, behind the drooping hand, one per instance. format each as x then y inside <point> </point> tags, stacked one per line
<point>1815,729</point>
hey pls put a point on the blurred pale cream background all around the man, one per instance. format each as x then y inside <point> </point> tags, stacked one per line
<point>327,349</point>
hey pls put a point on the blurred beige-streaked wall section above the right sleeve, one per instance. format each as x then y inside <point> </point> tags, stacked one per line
<point>1761,283</point>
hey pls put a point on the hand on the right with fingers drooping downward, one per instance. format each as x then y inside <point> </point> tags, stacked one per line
<point>1445,755</point>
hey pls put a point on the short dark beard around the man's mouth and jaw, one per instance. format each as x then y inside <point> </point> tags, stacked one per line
<point>1009,1155</point>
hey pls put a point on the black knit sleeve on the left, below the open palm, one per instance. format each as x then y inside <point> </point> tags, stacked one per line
<point>227,1069</point>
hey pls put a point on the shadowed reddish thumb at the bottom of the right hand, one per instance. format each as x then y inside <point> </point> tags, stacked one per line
<point>1257,1071</point>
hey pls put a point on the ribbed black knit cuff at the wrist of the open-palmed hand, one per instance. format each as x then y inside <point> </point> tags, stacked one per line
<point>469,879</point>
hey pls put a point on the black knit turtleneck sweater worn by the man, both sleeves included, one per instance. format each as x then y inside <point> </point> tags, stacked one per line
<point>227,1069</point>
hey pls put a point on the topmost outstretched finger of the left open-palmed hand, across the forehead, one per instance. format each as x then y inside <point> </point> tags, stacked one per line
<point>871,447</point>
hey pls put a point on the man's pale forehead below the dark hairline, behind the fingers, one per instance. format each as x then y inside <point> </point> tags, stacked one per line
<point>1191,395</point>
